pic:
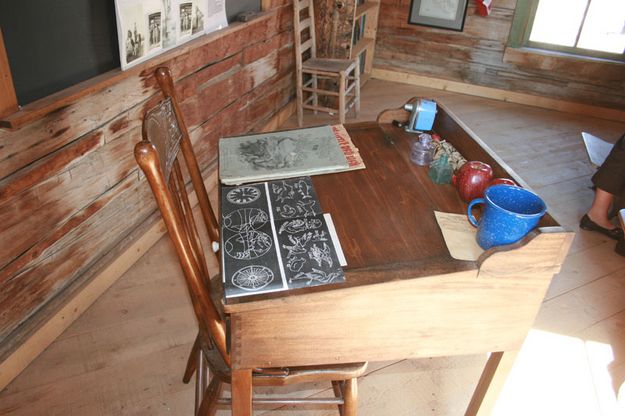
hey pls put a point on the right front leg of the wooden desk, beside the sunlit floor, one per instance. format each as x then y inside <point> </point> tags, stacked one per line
<point>491,382</point>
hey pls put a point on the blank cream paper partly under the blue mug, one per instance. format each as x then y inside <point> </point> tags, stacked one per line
<point>459,236</point>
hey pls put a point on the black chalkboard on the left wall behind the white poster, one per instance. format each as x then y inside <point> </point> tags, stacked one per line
<point>54,45</point>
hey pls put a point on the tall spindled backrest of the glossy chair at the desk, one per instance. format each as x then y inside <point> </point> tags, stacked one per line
<point>166,157</point>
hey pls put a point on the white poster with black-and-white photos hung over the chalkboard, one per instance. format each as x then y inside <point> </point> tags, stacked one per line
<point>146,28</point>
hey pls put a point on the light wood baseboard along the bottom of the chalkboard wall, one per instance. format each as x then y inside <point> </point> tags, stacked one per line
<point>41,338</point>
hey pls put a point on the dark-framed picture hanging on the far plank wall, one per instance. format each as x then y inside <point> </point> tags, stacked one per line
<point>444,14</point>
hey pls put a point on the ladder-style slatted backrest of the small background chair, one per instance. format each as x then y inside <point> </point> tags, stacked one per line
<point>304,30</point>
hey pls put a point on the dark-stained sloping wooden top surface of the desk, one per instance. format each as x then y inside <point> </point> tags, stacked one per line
<point>384,214</point>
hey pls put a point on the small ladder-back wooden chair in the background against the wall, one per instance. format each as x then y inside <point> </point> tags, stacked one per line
<point>334,70</point>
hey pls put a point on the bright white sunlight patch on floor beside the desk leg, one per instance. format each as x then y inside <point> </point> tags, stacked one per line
<point>561,375</point>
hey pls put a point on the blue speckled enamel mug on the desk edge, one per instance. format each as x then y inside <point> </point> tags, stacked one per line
<point>509,213</point>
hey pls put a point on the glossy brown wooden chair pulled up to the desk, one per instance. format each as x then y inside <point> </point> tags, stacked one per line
<point>162,152</point>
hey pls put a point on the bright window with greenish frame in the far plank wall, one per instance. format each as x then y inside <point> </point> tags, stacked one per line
<point>594,28</point>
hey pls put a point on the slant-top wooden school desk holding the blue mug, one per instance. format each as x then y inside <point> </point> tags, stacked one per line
<point>404,297</point>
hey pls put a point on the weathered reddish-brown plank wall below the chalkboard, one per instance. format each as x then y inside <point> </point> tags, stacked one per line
<point>70,191</point>
